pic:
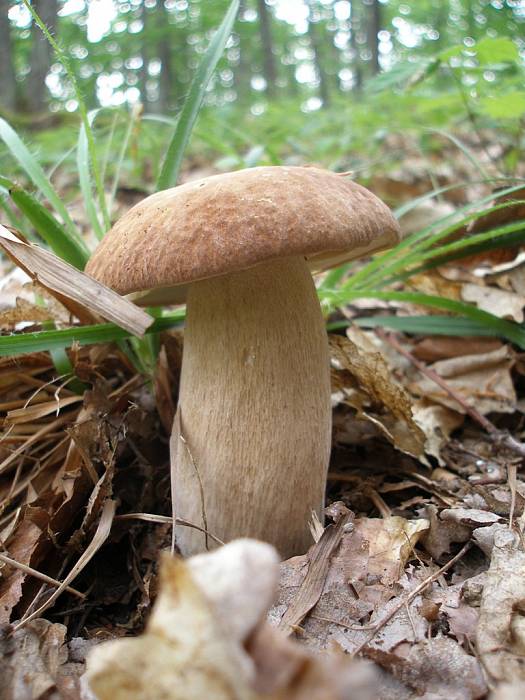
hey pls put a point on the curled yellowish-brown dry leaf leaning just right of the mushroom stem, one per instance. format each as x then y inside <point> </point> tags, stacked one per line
<point>364,381</point>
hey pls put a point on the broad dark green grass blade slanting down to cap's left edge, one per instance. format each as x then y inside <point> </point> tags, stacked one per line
<point>47,227</point>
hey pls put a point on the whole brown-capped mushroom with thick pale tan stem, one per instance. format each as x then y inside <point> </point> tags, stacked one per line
<point>251,439</point>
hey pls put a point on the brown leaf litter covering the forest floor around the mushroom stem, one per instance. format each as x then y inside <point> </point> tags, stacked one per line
<point>420,570</point>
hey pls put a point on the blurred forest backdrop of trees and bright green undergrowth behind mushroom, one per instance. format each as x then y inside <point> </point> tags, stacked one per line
<point>319,80</point>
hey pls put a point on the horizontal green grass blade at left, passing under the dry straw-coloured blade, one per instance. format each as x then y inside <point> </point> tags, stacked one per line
<point>41,341</point>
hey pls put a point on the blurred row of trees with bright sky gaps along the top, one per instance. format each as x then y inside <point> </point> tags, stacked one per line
<point>129,51</point>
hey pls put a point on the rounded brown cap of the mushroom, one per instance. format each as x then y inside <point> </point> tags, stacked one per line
<point>233,221</point>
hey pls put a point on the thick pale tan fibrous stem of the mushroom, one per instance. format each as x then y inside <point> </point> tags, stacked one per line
<point>251,440</point>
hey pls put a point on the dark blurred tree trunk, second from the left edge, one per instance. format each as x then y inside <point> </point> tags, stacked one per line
<point>41,54</point>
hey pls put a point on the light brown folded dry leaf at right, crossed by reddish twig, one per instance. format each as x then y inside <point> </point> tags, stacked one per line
<point>483,380</point>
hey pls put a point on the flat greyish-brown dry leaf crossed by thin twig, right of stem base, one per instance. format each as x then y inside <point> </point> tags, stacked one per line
<point>358,586</point>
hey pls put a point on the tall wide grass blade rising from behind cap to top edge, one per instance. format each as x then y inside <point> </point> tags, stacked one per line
<point>172,163</point>
